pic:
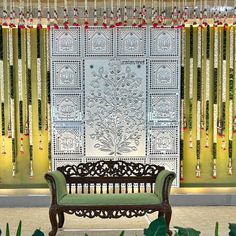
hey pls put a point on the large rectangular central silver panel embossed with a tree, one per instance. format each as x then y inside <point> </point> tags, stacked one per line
<point>115,98</point>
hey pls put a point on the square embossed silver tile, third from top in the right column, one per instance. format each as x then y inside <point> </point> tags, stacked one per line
<point>164,107</point>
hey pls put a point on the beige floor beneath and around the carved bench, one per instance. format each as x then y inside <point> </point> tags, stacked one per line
<point>200,218</point>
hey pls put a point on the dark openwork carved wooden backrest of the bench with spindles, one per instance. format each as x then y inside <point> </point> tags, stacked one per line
<point>110,177</point>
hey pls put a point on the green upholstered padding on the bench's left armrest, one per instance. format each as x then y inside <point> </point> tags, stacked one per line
<point>60,180</point>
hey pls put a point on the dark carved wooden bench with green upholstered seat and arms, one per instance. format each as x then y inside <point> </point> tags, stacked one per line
<point>109,189</point>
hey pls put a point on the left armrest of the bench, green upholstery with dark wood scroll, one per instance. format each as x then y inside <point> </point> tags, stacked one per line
<point>57,184</point>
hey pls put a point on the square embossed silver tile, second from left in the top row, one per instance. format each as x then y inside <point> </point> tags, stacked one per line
<point>99,42</point>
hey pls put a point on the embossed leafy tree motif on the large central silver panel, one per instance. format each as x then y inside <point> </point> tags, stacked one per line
<point>114,108</point>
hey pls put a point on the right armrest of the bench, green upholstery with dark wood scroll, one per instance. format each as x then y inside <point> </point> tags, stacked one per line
<point>163,184</point>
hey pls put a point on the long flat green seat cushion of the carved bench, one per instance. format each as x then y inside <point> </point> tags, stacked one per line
<point>110,199</point>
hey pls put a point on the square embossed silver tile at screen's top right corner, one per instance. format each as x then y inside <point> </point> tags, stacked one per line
<point>164,42</point>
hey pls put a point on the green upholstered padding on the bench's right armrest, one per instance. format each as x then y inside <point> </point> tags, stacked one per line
<point>160,183</point>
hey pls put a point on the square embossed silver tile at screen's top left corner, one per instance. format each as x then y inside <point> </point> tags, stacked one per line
<point>65,42</point>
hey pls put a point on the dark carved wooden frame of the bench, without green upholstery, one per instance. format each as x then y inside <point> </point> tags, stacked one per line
<point>110,174</point>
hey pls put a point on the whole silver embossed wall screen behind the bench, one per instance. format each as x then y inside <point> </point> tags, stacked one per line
<point>115,95</point>
